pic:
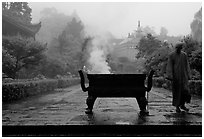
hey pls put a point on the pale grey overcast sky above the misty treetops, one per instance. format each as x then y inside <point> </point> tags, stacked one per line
<point>121,18</point>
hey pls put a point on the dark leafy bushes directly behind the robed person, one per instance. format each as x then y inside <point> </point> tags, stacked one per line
<point>156,54</point>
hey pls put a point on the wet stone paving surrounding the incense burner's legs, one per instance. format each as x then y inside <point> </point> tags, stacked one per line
<point>66,107</point>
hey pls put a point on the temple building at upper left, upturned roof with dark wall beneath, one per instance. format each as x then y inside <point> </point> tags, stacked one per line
<point>12,27</point>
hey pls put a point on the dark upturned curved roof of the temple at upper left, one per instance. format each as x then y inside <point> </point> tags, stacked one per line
<point>29,28</point>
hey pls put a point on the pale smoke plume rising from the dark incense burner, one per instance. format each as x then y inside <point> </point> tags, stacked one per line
<point>98,51</point>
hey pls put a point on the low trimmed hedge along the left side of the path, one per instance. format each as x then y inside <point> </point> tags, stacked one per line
<point>25,88</point>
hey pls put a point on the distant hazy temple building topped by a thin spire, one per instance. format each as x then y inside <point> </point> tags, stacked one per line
<point>128,47</point>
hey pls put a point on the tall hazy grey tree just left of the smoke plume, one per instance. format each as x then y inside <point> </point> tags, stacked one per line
<point>69,47</point>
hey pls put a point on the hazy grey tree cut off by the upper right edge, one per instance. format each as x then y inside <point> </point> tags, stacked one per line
<point>196,26</point>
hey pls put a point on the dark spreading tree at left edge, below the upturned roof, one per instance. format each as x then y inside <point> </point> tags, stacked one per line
<point>19,52</point>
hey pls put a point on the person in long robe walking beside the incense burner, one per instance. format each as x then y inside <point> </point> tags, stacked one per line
<point>178,71</point>
